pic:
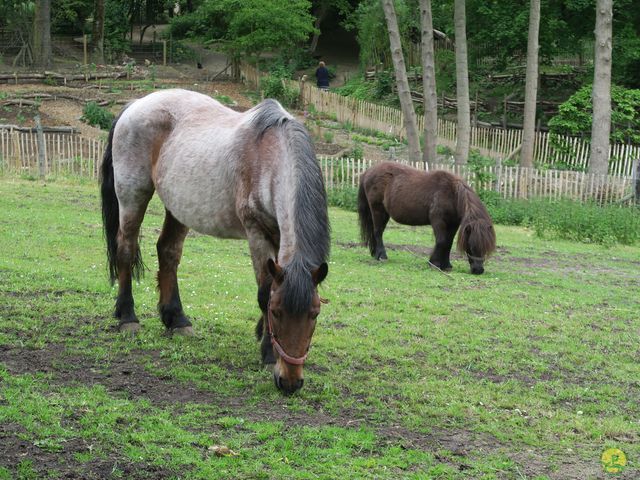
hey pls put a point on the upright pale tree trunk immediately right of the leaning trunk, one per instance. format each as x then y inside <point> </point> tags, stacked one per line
<point>429,85</point>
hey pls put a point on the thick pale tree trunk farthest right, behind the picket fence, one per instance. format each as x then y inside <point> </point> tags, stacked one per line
<point>601,126</point>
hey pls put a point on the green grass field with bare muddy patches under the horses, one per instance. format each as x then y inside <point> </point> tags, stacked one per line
<point>530,371</point>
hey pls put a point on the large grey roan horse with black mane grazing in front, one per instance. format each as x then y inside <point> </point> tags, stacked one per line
<point>247,175</point>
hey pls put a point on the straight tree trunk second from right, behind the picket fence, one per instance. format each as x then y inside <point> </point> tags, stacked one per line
<point>531,87</point>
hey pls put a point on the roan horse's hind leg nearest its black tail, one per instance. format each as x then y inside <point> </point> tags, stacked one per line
<point>128,262</point>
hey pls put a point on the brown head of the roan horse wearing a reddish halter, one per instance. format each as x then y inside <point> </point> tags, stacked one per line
<point>290,328</point>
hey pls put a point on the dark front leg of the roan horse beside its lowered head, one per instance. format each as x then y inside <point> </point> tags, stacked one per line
<point>262,249</point>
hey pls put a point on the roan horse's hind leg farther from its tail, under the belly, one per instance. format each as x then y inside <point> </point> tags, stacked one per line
<point>169,249</point>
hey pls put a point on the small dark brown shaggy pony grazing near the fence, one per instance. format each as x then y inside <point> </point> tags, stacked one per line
<point>415,197</point>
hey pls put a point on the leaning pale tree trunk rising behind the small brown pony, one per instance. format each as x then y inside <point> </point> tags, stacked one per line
<point>409,114</point>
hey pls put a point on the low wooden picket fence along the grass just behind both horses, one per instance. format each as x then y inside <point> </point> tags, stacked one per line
<point>74,155</point>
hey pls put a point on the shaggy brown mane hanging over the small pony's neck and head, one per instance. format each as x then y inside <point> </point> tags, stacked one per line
<point>476,231</point>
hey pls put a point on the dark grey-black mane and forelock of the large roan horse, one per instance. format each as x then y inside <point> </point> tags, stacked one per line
<point>311,222</point>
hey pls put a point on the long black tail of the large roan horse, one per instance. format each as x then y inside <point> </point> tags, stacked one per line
<point>111,212</point>
